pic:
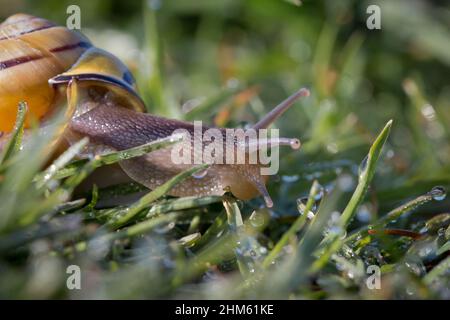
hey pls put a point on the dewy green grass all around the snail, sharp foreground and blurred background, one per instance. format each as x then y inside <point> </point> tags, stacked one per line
<point>363,190</point>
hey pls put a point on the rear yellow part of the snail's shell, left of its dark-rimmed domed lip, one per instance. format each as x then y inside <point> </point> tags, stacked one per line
<point>33,50</point>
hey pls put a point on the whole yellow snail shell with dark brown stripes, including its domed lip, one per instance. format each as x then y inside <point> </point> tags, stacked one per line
<point>36,56</point>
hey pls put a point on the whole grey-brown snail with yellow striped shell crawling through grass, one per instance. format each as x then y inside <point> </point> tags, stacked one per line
<point>50,66</point>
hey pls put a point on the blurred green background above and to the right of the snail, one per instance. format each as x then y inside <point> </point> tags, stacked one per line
<point>230,61</point>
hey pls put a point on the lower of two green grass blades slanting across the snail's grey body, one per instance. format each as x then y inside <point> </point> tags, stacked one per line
<point>124,216</point>
